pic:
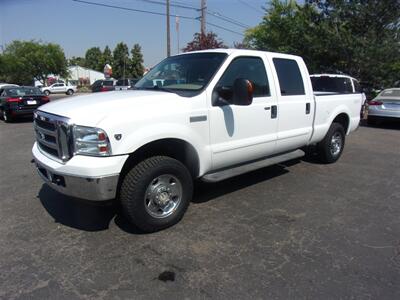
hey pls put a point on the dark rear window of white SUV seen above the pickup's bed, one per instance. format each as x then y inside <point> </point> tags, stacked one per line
<point>332,84</point>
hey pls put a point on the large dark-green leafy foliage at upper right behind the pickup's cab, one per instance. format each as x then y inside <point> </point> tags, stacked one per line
<point>360,38</point>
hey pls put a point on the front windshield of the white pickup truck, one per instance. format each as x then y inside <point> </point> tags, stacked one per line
<point>189,72</point>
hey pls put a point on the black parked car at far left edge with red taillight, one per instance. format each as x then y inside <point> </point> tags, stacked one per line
<point>20,101</point>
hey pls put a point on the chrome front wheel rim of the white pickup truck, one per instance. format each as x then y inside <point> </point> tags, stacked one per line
<point>163,196</point>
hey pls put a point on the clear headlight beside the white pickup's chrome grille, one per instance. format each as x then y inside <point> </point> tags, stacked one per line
<point>91,141</point>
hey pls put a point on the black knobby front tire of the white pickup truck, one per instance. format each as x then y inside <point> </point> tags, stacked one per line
<point>135,187</point>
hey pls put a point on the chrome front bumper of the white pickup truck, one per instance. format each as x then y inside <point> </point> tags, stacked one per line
<point>89,188</point>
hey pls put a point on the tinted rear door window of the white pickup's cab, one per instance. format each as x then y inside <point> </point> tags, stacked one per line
<point>289,76</point>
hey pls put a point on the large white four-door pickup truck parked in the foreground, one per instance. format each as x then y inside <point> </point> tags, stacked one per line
<point>211,115</point>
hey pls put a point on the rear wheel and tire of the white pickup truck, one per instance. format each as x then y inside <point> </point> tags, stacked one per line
<point>329,149</point>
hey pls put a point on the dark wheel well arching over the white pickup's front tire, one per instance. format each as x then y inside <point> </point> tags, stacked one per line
<point>175,148</point>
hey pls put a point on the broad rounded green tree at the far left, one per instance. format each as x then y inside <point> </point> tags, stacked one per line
<point>24,61</point>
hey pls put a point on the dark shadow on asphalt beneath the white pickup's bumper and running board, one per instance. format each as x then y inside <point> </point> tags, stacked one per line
<point>96,216</point>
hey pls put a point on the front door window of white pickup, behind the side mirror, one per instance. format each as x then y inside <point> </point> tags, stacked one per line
<point>250,68</point>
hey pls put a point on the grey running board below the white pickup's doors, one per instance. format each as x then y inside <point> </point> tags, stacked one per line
<point>235,171</point>
